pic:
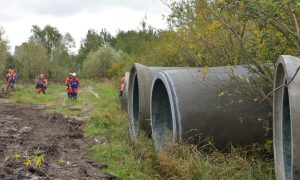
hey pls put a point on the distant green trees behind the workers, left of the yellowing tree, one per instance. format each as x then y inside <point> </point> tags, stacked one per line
<point>49,51</point>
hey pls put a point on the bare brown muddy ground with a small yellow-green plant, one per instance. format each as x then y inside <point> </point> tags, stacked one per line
<point>26,132</point>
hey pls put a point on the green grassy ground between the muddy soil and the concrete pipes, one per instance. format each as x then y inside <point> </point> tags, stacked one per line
<point>107,123</point>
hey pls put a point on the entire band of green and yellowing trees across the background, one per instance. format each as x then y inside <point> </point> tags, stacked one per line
<point>200,33</point>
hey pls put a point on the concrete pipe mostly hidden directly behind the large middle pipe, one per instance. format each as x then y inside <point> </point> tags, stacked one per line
<point>139,89</point>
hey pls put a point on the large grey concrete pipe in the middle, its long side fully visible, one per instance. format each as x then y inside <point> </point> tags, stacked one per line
<point>186,104</point>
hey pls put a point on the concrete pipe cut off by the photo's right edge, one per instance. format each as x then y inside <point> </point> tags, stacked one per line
<point>286,118</point>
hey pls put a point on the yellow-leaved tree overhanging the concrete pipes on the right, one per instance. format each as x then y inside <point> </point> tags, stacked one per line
<point>255,34</point>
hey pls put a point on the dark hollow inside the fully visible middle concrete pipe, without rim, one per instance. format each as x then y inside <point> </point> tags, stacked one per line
<point>161,115</point>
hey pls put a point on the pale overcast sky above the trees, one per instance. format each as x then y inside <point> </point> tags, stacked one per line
<point>77,16</point>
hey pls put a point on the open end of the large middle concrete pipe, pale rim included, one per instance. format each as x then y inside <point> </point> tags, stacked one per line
<point>166,101</point>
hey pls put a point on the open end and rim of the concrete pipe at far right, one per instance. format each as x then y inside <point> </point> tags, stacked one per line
<point>282,128</point>
